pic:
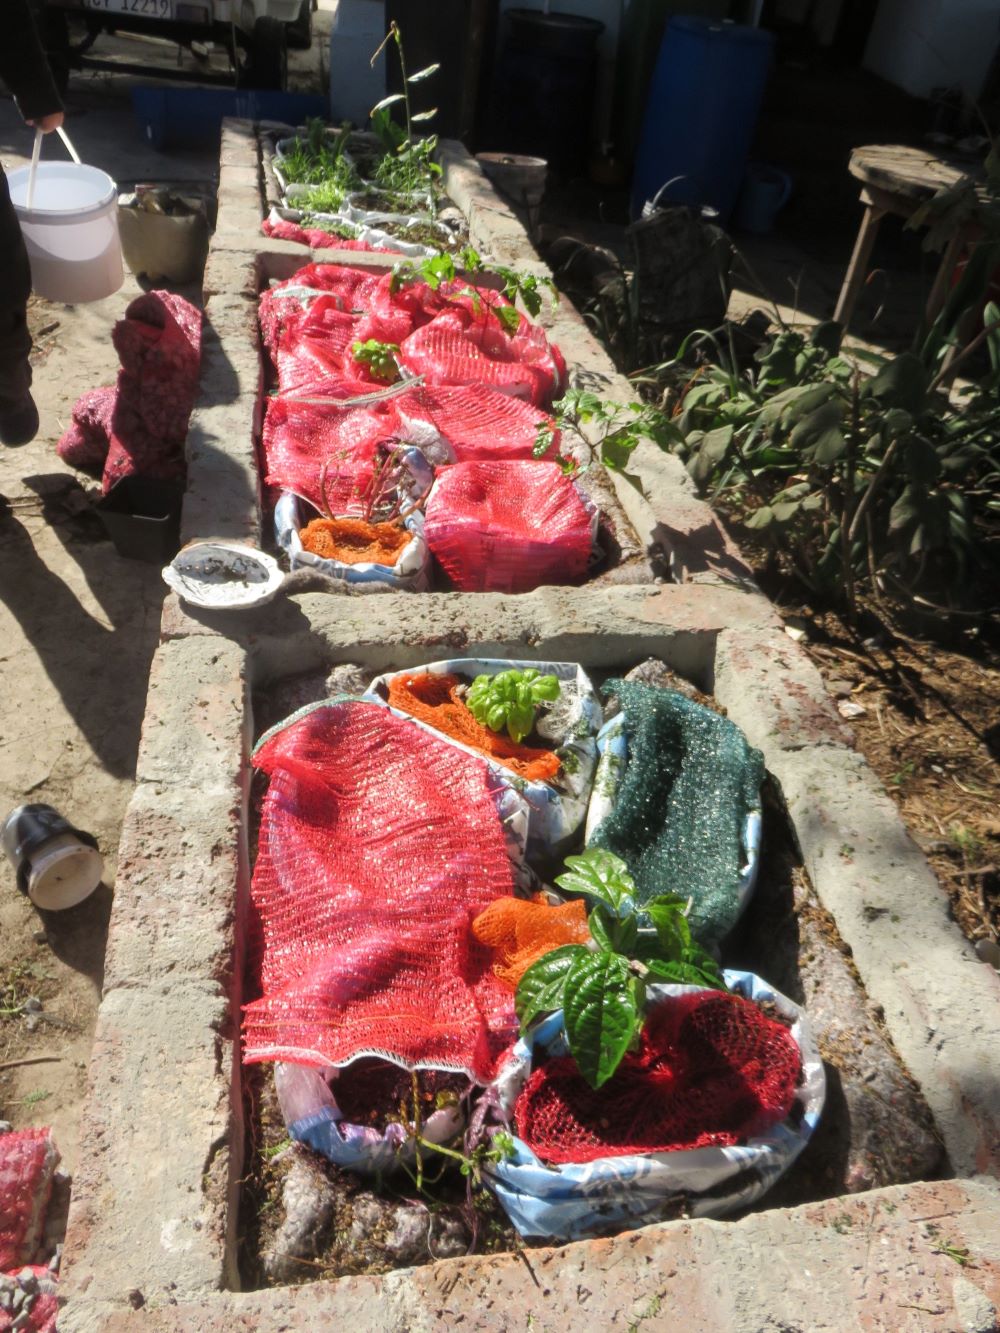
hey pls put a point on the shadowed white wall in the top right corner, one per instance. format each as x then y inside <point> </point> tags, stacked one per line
<point>927,45</point>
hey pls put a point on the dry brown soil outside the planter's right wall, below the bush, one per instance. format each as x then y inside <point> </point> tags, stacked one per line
<point>930,730</point>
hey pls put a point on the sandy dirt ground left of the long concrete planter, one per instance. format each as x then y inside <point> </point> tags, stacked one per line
<point>78,630</point>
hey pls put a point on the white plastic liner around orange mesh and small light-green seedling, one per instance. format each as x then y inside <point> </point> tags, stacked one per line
<point>569,726</point>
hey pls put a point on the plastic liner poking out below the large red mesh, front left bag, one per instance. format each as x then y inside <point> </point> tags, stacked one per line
<point>313,1118</point>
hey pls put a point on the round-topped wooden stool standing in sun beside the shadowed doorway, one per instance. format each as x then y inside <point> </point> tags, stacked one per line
<point>898,181</point>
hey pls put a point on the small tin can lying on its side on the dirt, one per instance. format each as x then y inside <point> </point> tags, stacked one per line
<point>58,866</point>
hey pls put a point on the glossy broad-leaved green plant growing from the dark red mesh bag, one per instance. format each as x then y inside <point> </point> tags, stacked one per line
<point>602,992</point>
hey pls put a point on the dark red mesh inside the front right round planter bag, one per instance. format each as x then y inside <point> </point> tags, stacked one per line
<point>711,1071</point>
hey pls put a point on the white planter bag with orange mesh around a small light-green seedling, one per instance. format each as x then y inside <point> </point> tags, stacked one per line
<point>553,771</point>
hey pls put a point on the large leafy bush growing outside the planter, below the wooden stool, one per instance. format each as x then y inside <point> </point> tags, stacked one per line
<point>850,477</point>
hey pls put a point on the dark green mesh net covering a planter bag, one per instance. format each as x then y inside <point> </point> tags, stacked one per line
<point>681,812</point>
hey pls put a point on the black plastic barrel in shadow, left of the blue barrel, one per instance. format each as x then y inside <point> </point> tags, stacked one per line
<point>545,87</point>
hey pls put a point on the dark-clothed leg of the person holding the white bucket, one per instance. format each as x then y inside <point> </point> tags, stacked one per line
<point>19,419</point>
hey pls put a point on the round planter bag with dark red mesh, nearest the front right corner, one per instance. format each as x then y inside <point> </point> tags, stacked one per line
<point>721,1100</point>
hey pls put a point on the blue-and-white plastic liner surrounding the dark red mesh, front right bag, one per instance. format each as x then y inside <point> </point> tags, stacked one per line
<point>619,1194</point>
